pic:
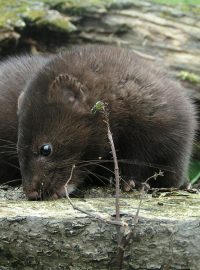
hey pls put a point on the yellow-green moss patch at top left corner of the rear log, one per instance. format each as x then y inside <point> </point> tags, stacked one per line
<point>18,13</point>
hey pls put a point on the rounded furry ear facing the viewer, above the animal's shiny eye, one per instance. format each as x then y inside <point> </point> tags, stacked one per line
<point>67,89</point>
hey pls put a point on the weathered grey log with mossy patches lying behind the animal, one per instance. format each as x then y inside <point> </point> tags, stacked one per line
<point>163,34</point>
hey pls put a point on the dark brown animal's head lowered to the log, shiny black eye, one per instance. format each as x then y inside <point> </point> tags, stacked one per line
<point>54,131</point>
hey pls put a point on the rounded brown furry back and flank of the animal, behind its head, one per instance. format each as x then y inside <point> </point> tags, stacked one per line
<point>152,118</point>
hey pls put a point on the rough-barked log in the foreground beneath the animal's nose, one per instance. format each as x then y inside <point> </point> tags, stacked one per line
<point>52,235</point>
